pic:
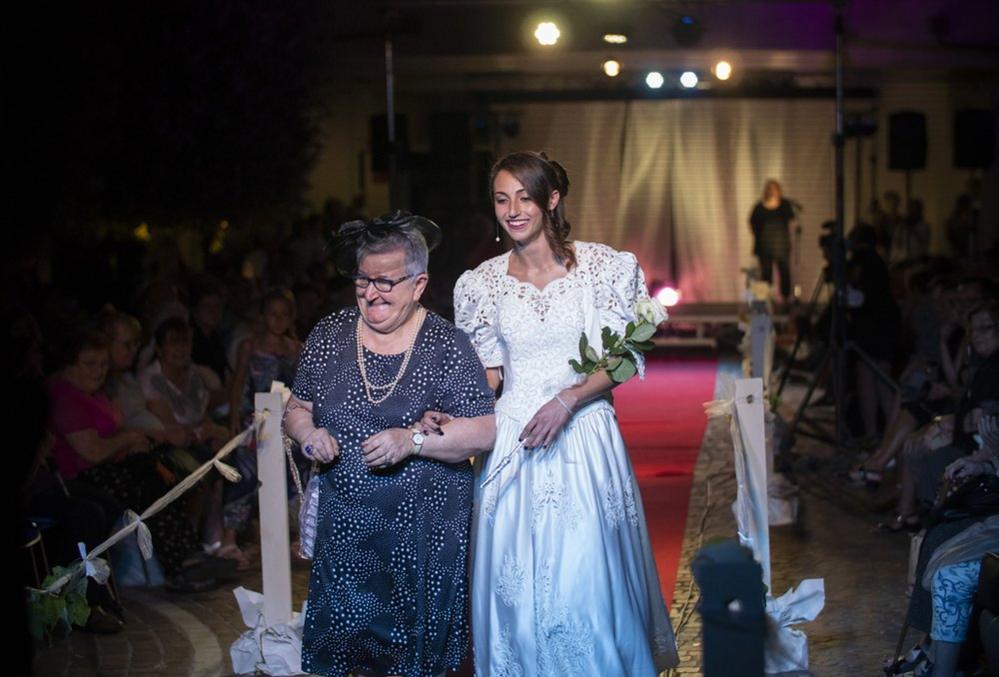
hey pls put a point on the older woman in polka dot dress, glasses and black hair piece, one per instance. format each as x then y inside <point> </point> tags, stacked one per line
<point>388,593</point>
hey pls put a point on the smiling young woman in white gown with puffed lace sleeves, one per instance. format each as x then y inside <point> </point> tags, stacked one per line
<point>564,582</point>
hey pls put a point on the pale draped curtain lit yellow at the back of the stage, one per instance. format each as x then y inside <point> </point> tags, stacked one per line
<point>674,181</point>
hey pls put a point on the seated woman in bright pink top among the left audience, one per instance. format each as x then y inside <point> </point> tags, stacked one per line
<point>93,448</point>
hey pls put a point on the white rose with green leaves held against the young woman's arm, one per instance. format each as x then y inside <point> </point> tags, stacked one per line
<point>618,358</point>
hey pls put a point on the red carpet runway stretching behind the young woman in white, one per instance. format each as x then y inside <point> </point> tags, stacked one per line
<point>663,423</point>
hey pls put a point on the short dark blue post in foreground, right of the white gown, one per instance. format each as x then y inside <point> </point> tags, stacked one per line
<point>733,619</point>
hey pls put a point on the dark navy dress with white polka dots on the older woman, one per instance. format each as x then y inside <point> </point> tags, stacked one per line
<point>389,587</point>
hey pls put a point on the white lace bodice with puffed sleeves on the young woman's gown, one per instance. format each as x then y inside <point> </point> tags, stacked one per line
<point>533,333</point>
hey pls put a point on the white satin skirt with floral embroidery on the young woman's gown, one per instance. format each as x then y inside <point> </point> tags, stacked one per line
<point>564,582</point>
